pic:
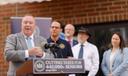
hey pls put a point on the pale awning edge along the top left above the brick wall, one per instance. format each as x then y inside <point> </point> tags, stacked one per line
<point>3,2</point>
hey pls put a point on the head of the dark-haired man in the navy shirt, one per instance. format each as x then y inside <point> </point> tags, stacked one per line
<point>55,29</point>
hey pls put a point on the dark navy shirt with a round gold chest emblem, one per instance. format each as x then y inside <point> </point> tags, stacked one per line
<point>63,50</point>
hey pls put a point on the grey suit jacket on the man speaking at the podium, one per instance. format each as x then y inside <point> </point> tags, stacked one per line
<point>15,47</point>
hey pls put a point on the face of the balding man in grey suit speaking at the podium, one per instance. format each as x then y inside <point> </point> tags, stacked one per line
<point>28,25</point>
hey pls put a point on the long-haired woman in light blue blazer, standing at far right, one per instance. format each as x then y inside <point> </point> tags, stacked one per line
<point>115,60</point>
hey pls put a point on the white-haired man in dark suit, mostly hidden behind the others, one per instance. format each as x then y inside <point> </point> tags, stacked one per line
<point>69,33</point>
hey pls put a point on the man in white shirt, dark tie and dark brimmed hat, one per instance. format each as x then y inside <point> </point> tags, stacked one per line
<point>89,53</point>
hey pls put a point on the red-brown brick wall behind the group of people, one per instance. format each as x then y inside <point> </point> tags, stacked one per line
<point>68,11</point>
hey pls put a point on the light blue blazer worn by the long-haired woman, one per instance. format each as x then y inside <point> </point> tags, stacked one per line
<point>120,63</point>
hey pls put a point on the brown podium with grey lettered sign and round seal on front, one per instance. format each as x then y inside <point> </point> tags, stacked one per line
<point>33,67</point>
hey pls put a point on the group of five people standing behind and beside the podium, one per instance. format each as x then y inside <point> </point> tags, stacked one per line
<point>25,45</point>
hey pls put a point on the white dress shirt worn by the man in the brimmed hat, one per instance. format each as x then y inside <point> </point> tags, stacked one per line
<point>90,56</point>
